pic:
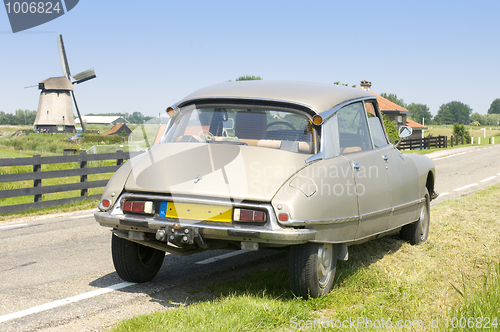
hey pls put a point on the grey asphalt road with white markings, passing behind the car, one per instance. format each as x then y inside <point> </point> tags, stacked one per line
<point>57,275</point>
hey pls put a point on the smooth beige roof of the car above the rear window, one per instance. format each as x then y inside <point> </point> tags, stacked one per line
<point>318,97</point>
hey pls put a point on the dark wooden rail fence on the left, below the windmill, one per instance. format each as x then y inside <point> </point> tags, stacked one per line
<point>38,175</point>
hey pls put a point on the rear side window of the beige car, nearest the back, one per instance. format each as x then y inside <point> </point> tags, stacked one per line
<point>353,129</point>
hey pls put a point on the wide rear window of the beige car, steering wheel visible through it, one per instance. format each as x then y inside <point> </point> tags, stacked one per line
<point>260,127</point>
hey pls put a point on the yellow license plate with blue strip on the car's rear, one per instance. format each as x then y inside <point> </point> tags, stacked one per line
<point>190,211</point>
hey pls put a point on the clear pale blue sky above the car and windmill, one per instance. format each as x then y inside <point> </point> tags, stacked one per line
<point>150,54</point>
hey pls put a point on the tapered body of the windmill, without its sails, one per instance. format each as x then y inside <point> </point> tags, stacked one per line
<point>55,109</point>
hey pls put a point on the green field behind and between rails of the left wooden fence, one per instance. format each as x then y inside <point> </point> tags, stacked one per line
<point>15,143</point>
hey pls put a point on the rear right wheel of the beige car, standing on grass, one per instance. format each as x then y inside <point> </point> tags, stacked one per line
<point>312,269</point>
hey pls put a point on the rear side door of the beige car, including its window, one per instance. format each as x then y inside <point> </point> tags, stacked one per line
<point>372,184</point>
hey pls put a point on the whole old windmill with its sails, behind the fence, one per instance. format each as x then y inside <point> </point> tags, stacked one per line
<point>55,112</point>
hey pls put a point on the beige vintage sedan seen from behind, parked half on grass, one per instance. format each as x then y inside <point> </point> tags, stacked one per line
<point>260,164</point>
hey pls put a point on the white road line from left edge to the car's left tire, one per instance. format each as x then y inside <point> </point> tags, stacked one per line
<point>65,301</point>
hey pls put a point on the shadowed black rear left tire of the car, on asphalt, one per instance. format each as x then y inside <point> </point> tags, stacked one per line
<point>135,262</point>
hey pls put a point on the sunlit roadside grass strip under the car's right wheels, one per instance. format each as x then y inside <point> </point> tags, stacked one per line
<point>450,278</point>
